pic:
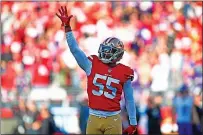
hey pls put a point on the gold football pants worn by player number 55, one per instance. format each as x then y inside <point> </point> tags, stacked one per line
<point>108,125</point>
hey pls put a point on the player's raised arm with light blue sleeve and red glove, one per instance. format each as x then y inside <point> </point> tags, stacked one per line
<point>79,55</point>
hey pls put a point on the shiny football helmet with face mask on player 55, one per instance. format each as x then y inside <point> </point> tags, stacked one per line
<point>111,50</point>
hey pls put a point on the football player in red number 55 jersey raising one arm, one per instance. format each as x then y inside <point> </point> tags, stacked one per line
<point>107,79</point>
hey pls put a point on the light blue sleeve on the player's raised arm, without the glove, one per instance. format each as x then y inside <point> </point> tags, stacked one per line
<point>79,55</point>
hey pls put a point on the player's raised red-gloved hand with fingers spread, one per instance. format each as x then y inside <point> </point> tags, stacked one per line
<point>65,18</point>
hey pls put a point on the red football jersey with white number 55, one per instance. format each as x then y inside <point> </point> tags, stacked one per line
<point>105,84</point>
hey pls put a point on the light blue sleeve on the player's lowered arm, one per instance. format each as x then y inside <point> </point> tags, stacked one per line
<point>130,104</point>
